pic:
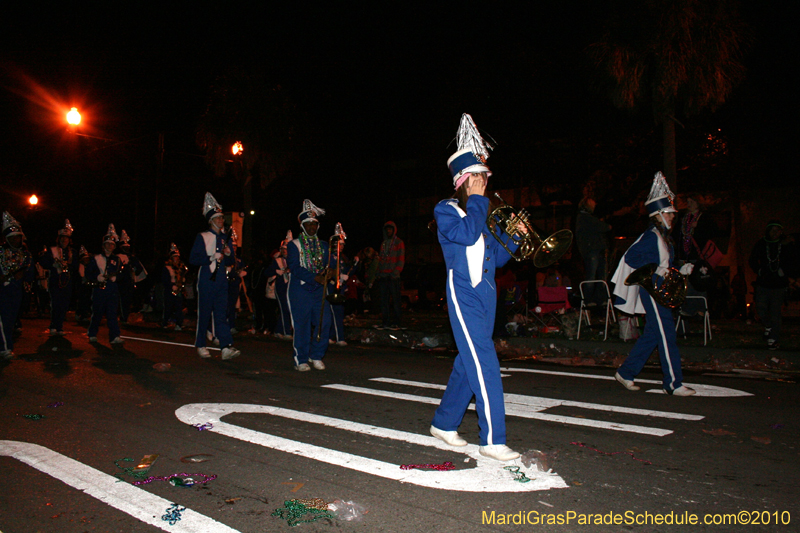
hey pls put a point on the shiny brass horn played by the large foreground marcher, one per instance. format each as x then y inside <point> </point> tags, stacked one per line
<point>545,252</point>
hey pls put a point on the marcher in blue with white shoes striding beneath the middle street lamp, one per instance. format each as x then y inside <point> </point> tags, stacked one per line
<point>212,253</point>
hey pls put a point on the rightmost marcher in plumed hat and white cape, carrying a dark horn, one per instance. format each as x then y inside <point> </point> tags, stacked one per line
<point>654,246</point>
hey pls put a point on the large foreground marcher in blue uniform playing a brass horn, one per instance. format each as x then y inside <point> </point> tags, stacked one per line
<point>471,255</point>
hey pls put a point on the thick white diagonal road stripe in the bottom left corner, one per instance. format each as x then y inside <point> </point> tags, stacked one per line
<point>127,498</point>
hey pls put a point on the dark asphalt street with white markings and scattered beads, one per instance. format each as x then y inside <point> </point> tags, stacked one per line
<point>342,433</point>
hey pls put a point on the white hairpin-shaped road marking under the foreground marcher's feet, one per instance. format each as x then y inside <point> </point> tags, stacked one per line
<point>487,476</point>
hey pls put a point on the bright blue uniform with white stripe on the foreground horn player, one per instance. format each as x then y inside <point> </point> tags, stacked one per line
<point>471,255</point>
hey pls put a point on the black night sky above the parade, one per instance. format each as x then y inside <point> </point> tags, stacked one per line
<point>379,84</point>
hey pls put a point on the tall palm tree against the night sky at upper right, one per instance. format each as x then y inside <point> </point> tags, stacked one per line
<point>675,56</point>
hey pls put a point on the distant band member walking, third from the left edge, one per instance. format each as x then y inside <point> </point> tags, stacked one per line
<point>102,272</point>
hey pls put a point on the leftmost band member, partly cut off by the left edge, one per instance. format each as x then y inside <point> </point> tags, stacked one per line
<point>16,267</point>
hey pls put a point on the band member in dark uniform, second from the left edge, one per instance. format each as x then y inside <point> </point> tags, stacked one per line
<point>62,263</point>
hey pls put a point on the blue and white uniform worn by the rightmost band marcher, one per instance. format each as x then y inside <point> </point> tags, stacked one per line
<point>659,329</point>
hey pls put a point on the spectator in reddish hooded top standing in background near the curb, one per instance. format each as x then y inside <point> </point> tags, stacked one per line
<point>391,261</point>
